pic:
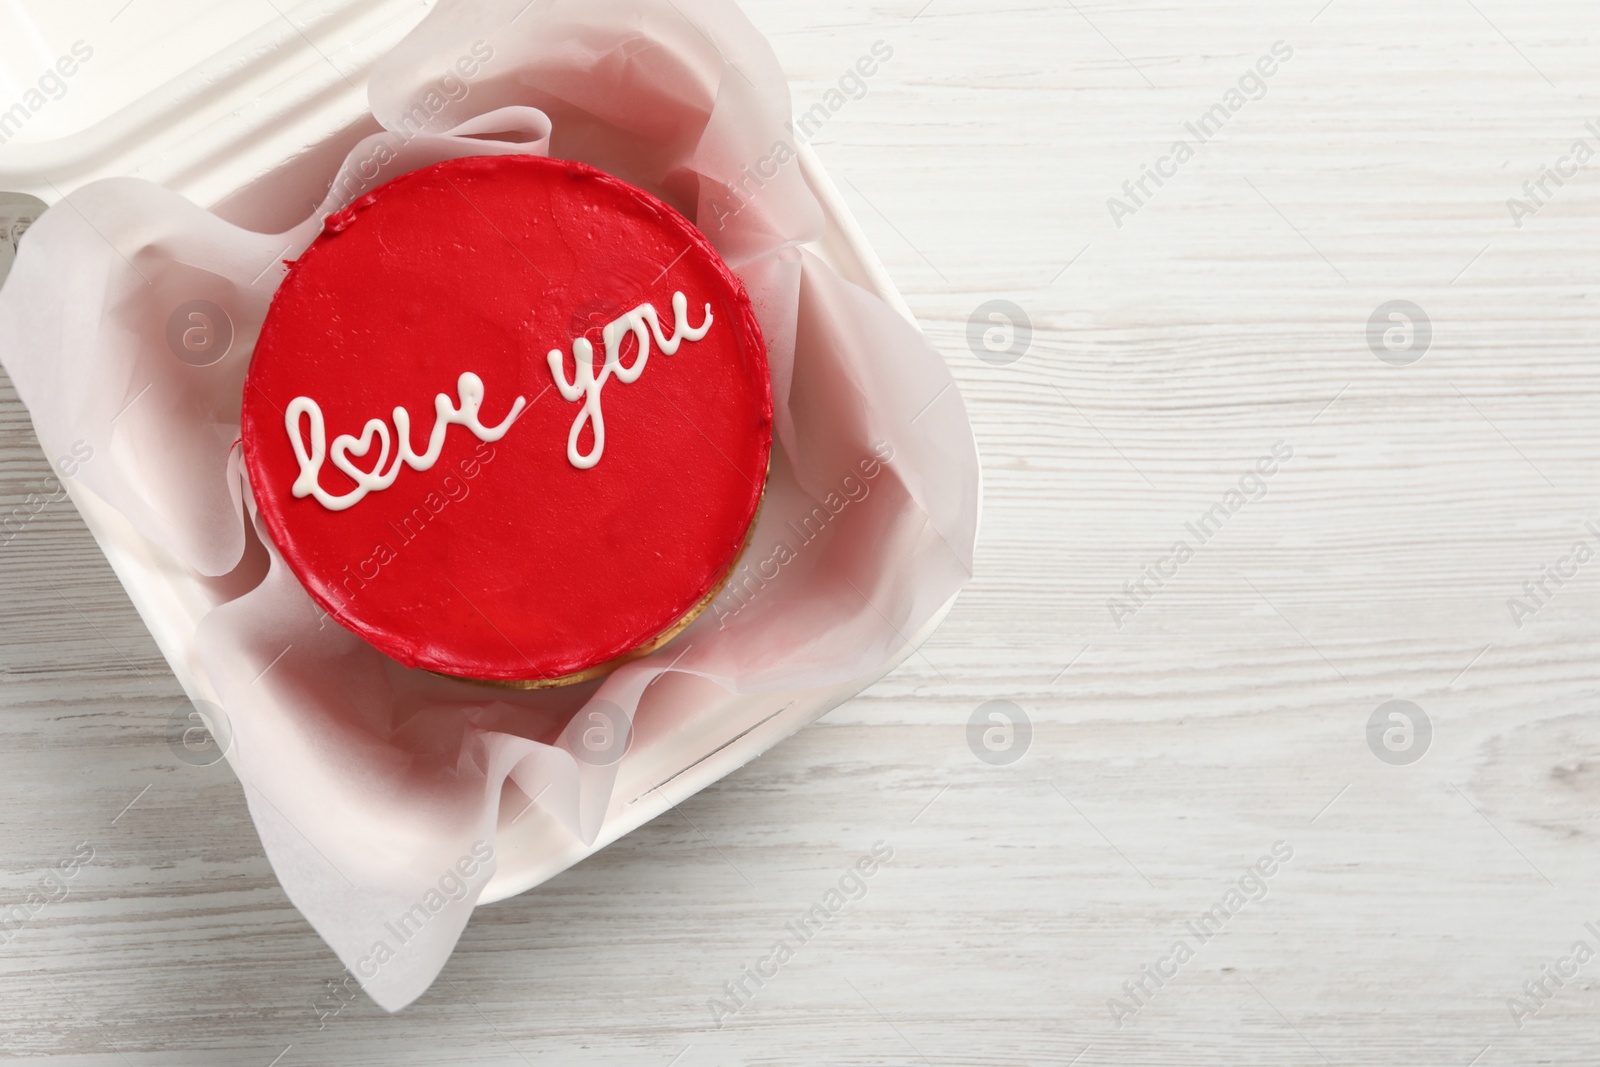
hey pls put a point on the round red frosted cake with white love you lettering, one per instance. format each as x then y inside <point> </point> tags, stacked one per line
<point>510,420</point>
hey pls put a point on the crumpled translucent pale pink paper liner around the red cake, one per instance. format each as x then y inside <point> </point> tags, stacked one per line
<point>377,789</point>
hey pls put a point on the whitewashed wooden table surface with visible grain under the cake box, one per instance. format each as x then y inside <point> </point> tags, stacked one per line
<point>1178,738</point>
